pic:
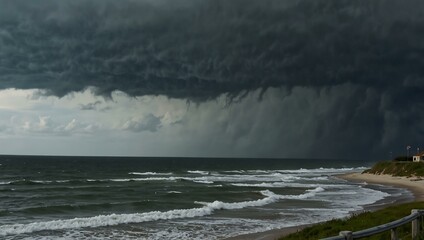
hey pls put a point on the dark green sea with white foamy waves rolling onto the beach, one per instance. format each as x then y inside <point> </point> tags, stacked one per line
<point>173,198</point>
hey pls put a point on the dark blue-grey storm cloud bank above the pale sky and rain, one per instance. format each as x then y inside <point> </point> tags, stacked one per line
<point>201,49</point>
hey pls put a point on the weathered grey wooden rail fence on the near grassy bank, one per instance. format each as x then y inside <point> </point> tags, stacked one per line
<point>414,218</point>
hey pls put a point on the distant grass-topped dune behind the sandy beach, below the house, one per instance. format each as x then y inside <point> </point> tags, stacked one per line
<point>394,168</point>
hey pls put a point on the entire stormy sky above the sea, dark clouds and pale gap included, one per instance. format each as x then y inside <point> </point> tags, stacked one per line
<point>212,78</point>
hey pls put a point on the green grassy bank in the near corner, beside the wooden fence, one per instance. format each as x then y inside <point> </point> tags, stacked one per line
<point>359,222</point>
